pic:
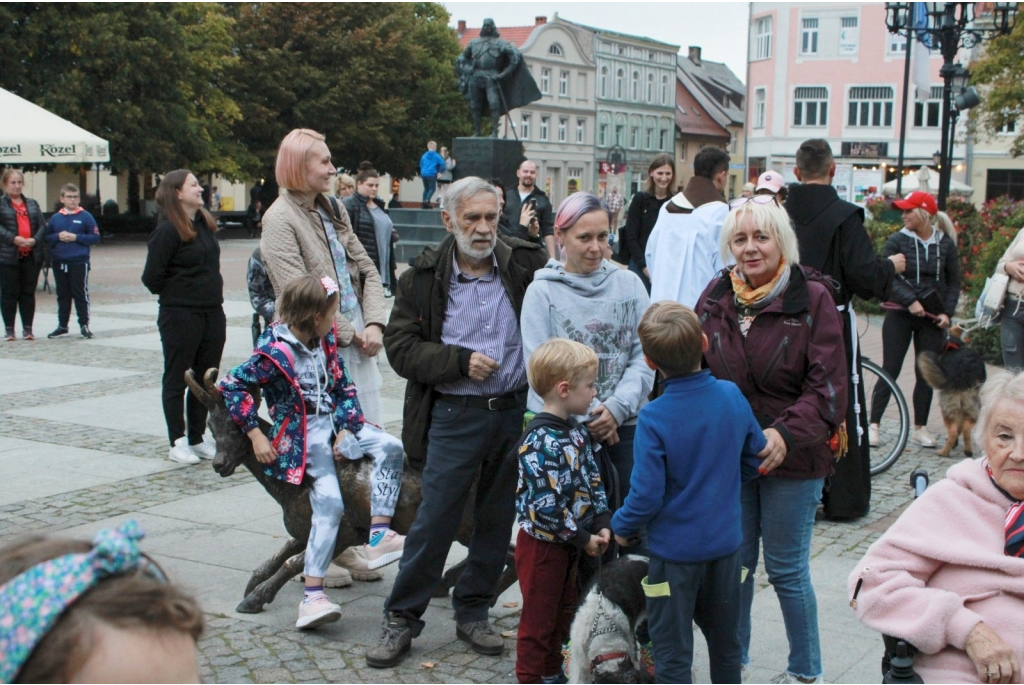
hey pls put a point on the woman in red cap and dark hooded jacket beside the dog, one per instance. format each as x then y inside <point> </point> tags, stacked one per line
<point>929,291</point>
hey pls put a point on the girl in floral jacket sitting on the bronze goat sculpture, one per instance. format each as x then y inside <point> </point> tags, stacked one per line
<point>314,406</point>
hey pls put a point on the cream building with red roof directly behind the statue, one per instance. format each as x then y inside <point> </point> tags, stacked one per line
<point>558,131</point>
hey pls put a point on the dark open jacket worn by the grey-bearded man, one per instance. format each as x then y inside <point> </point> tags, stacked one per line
<point>413,337</point>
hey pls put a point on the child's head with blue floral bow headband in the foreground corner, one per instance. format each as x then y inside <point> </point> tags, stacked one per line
<point>74,612</point>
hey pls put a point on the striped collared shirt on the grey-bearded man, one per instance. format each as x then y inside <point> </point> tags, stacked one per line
<point>481,318</point>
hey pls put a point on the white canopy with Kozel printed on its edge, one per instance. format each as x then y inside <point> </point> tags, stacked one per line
<point>33,136</point>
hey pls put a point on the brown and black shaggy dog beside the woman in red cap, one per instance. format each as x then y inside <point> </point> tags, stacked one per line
<point>957,374</point>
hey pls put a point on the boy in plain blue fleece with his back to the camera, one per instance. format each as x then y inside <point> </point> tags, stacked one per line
<point>693,445</point>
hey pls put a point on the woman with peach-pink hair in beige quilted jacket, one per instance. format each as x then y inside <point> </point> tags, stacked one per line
<point>303,234</point>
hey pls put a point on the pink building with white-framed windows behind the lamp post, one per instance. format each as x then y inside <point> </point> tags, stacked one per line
<point>834,71</point>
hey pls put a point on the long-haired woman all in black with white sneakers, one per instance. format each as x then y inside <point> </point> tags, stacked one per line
<point>184,269</point>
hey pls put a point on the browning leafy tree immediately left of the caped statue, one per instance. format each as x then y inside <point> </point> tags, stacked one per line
<point>377,79</point>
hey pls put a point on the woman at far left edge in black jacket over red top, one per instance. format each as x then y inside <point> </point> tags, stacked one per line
<point>22,229</point>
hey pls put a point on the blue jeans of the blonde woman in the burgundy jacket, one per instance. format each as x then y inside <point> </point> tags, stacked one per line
<point>780,512</point>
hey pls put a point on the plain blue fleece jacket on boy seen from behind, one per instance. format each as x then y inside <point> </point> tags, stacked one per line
<point>692,445</point>
